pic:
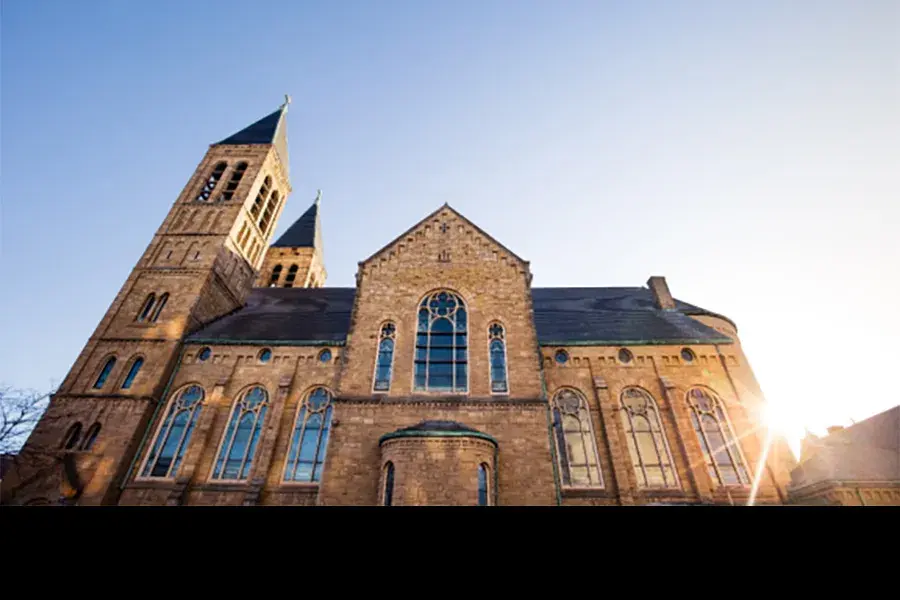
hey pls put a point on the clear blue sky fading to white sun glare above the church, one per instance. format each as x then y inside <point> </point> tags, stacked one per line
<point>748,151</point>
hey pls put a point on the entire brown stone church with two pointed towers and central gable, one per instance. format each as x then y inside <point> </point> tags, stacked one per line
<point>227,372</point>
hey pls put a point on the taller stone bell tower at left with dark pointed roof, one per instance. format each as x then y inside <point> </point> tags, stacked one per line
<point>200,265</point>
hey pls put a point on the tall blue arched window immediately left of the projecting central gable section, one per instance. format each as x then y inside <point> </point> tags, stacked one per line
<point>309,441</point>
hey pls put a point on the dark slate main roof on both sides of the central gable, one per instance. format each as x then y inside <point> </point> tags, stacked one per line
<point>591,316</point>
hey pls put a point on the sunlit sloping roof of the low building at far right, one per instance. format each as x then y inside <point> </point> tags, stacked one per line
<point>866,451</point>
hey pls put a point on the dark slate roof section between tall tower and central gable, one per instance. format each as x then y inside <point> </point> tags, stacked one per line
<point>299,316</point>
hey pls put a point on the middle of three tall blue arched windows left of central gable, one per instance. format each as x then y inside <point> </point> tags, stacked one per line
<point>238,446</point>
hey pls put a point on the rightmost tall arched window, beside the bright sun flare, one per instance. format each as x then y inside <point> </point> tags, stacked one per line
<point>724,459</point>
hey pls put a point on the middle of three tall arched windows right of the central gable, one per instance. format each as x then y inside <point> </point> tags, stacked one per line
<point>647,444</point>
